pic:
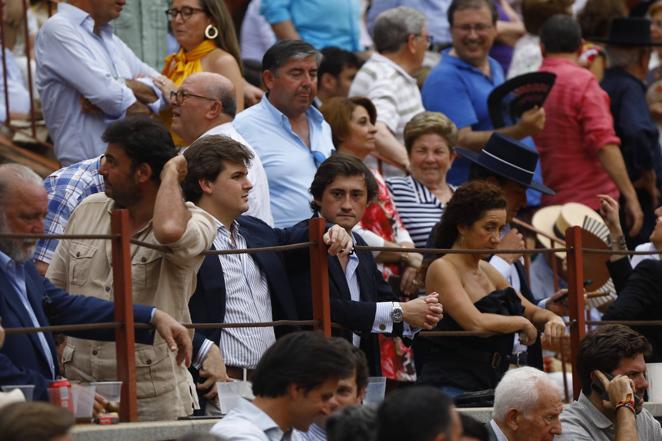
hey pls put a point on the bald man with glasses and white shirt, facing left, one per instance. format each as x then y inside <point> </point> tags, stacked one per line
<point>205,105</point>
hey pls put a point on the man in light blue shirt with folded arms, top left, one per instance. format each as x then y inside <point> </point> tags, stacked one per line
<point>87,77</point>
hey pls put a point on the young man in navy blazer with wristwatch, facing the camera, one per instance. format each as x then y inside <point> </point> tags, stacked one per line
<point>361,300</point>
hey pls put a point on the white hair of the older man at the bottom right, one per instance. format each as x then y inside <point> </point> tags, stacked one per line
<point>518,389</point>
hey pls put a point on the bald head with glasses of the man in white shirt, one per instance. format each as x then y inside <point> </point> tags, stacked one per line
<point>210,103</point>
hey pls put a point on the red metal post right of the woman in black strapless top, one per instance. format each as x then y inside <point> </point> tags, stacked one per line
<point>573,243</point>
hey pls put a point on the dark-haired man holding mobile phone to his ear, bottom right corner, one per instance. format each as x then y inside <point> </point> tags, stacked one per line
<point>612,372</point>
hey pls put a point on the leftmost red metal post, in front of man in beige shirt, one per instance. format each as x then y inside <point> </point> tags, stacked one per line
<point>123,297</point>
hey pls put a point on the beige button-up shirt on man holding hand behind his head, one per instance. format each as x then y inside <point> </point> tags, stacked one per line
<point>164,280</point>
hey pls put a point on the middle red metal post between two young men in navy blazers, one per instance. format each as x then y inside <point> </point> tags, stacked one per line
<point>319,273</point>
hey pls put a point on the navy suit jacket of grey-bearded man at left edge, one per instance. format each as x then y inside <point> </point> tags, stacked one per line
<point>22,360</point>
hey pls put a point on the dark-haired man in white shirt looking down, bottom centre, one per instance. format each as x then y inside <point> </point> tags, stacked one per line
<point>294,384</point>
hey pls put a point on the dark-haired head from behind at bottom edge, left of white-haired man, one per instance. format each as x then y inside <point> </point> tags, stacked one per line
<point>419,413</point>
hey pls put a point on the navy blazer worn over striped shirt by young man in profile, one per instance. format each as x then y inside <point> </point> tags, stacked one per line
<point>207,305</point>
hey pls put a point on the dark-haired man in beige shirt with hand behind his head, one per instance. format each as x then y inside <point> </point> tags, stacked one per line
<point>141,173</point>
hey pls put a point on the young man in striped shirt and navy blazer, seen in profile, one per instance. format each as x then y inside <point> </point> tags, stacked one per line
<point>238,288</point>
